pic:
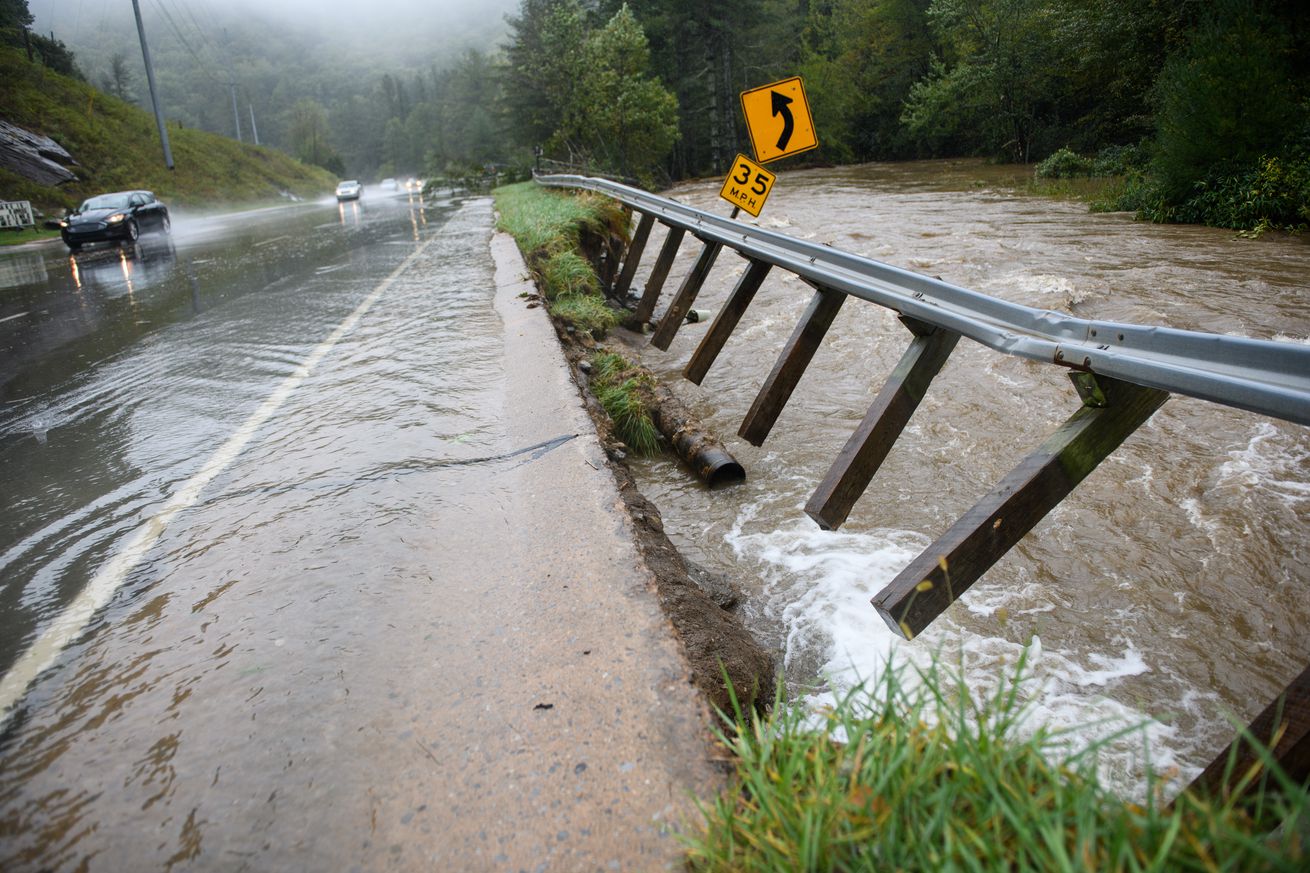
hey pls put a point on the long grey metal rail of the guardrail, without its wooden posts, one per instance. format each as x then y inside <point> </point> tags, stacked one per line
<point>1258,376</point>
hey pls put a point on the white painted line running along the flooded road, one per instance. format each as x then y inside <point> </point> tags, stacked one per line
<point>70,623</point>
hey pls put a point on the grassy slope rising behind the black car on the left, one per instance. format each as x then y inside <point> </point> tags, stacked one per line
<point>117,147</point>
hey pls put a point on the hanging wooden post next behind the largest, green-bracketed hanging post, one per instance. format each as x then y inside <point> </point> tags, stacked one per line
<point>888,417</point>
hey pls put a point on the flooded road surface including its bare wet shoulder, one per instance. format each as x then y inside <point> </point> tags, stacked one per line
<point>274,596</point>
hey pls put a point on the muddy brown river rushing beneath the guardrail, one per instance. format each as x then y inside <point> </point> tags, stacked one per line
<point>1172,588</point>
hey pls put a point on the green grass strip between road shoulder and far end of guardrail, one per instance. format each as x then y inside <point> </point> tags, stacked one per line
<point>550,226</point>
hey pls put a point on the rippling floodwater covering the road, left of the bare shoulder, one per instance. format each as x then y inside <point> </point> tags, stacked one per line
<point>222,459</point>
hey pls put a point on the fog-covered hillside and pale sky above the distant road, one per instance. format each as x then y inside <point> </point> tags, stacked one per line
<point>369,90</point>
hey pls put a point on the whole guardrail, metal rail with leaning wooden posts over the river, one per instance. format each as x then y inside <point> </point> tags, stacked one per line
<point>1122,373</point>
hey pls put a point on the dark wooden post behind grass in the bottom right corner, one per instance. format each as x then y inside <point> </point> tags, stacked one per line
<point>1283,728</point>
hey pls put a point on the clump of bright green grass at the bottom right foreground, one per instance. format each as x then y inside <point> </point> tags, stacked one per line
<point>916,777</point>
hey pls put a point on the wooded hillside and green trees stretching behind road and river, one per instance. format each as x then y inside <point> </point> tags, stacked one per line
<point>1201,108</point>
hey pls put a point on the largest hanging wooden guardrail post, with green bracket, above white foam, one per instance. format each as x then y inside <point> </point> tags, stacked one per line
<point>1113,411</point>
